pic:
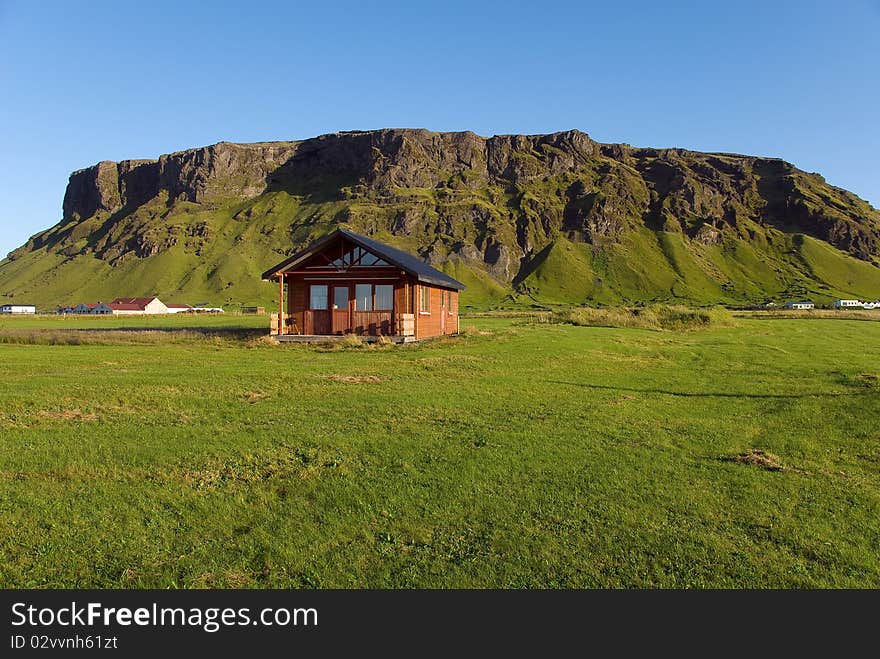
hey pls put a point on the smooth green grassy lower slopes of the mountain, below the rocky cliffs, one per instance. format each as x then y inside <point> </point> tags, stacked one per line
<point>644,265</point>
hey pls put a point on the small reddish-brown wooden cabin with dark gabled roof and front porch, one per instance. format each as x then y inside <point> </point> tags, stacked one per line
<point>346,283</point>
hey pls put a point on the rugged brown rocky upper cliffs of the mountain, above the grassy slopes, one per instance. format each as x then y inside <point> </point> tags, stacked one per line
<point>493,203</point>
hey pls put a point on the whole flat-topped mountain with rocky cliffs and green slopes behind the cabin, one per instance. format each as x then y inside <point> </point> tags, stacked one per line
<point>521,219</point>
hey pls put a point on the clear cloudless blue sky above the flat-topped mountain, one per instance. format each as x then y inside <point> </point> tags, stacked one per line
<point>89,81</point>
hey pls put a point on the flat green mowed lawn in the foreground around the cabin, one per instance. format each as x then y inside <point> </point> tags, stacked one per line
<point>537,456</point>
